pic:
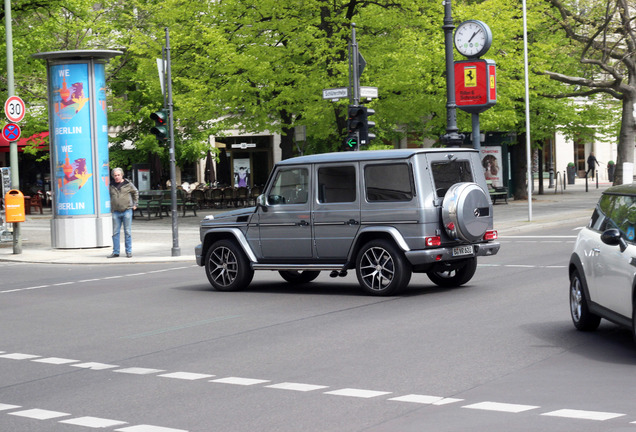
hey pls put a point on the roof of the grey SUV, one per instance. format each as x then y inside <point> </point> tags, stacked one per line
<point>366,155</point>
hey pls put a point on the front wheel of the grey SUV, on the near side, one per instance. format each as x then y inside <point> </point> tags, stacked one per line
<point>227,267</point>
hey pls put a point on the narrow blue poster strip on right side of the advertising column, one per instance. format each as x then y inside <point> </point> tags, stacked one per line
<point>102,138</point>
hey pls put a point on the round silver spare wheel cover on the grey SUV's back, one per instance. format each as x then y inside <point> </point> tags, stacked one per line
<point>466,212</point>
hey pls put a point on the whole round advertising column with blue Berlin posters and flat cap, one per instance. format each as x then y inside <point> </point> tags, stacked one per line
<point>79,148</point>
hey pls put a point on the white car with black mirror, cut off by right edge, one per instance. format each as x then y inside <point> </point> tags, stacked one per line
<point>603,264</point>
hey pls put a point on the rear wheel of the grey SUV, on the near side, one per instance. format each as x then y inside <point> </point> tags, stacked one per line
<point>382,269</point>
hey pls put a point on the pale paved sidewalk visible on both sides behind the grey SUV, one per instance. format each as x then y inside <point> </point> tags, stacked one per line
<point>152,239</point>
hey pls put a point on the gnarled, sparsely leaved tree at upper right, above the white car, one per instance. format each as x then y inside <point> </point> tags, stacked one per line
<point>605,36</point>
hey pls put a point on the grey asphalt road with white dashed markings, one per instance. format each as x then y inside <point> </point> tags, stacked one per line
<point>151,348</point>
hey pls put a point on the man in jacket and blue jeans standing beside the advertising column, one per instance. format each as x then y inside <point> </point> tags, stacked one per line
<point>123,201</point>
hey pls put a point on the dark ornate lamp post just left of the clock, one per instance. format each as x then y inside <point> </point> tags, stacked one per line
<point>452,138</point>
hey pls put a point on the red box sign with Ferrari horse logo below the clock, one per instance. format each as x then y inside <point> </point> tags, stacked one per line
<point>475,85</point>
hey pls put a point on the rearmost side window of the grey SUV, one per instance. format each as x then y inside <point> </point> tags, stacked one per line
<point>388,182</point>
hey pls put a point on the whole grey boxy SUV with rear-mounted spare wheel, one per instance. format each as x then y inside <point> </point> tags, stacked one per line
<point>385,214</point>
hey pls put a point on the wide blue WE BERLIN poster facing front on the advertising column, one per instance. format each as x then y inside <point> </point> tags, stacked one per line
<point>73,167</point>
